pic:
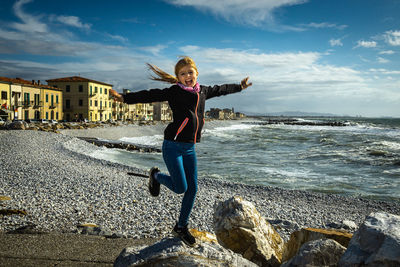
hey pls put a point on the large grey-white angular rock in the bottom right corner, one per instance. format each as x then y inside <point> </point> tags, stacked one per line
<point>375,243</point>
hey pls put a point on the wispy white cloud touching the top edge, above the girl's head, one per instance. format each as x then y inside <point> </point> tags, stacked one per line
<point>247,12</point>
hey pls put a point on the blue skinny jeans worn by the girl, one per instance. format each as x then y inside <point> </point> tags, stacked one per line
<point>181,162</point>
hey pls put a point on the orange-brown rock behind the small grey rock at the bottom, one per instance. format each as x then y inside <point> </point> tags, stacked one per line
<point>298,238</point>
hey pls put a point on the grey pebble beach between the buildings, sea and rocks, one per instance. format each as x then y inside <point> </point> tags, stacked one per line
<point>52,178</point>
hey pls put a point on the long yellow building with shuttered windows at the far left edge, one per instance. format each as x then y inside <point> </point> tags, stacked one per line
<point>27,100</point>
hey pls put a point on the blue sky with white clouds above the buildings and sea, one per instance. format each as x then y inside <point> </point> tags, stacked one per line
<point>327,56</point>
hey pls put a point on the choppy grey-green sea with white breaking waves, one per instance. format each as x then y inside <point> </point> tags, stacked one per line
<point>360,159</point>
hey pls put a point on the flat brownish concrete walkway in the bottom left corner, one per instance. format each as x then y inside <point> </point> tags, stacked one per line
<point>54,249</point>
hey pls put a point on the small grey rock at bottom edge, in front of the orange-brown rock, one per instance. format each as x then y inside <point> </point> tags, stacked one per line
<point>321,252</point>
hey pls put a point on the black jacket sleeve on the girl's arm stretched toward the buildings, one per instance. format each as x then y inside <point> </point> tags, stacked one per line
<point>147,96</point>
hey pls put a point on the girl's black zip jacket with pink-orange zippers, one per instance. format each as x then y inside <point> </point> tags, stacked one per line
<point>187,108</point>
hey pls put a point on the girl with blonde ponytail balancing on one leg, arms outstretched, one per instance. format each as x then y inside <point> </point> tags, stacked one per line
<point>187,101</point>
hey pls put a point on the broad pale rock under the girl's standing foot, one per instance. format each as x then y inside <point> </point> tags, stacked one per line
<point>173,252</point>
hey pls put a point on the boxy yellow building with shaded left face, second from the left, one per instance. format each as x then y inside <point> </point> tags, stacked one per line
<point>84,98</point>
